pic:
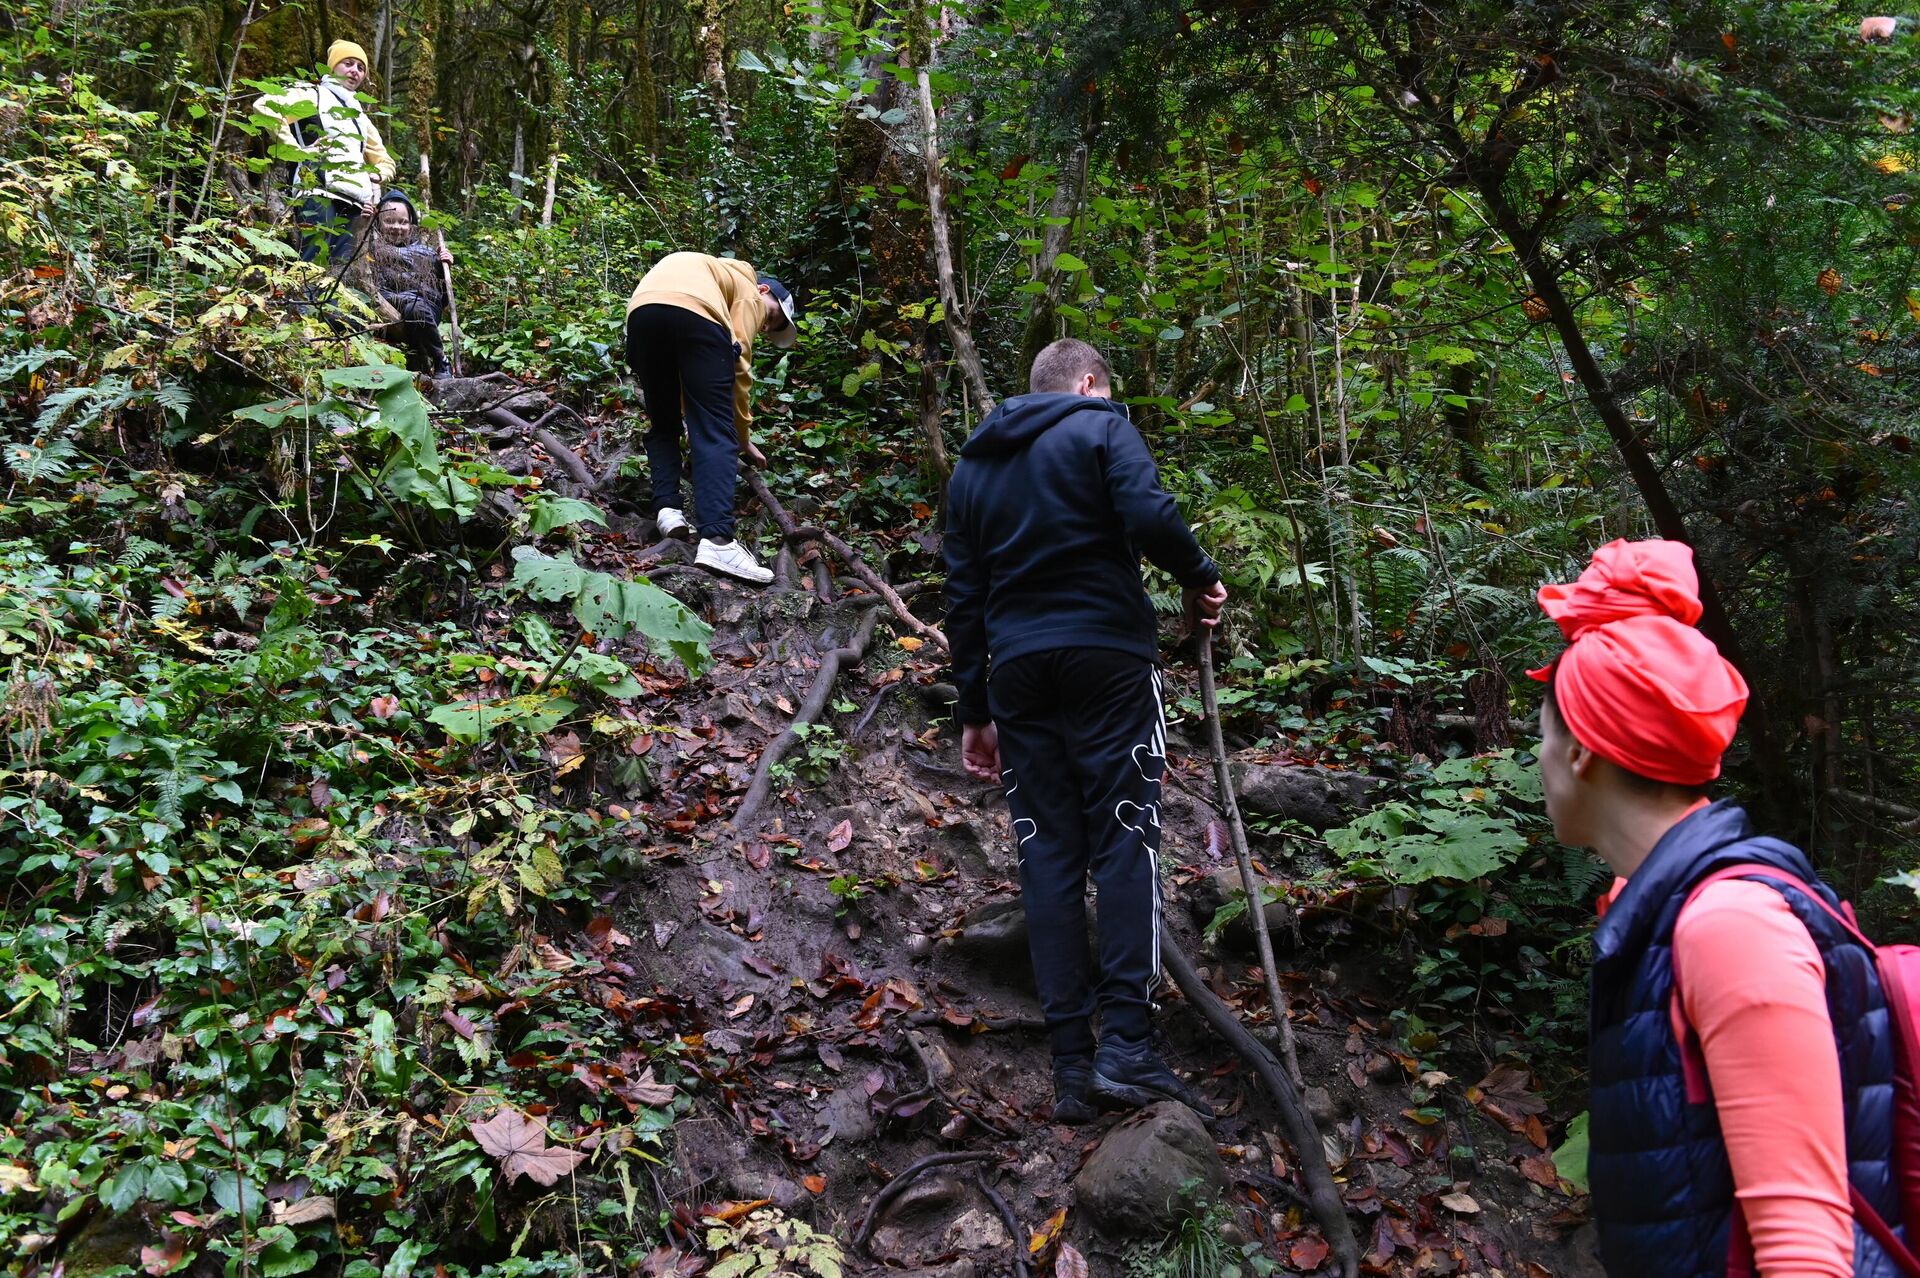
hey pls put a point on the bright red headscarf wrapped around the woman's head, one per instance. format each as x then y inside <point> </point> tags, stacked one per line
<point>1639,684</point>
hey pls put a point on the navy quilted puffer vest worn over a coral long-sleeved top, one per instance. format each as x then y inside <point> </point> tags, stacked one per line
<point>1664,1191</point>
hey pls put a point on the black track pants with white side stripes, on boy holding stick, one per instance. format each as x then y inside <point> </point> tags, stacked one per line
<point>1084,745</point>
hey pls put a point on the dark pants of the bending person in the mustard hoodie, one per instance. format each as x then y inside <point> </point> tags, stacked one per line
<point>684,364</point>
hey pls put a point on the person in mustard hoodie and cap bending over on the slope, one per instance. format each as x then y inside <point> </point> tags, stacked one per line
<point>690,333</point>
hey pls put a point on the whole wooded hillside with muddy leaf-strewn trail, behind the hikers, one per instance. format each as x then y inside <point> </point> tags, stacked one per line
<point>416,864</point>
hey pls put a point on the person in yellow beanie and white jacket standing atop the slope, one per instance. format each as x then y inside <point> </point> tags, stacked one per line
<point>343,160</point>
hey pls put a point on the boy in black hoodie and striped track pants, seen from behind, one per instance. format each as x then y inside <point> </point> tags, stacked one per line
<point>1051,508</point>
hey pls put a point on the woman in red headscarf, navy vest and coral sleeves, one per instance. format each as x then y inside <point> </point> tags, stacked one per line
<point>1740,1049</point>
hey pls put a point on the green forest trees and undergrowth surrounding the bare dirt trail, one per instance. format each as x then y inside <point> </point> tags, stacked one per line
<point>1416,304</point>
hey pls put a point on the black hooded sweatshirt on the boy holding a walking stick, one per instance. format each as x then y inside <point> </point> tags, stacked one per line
<point>1051,508</point>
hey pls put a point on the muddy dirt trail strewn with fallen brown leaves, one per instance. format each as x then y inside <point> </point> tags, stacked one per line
<point>852,989</point>
